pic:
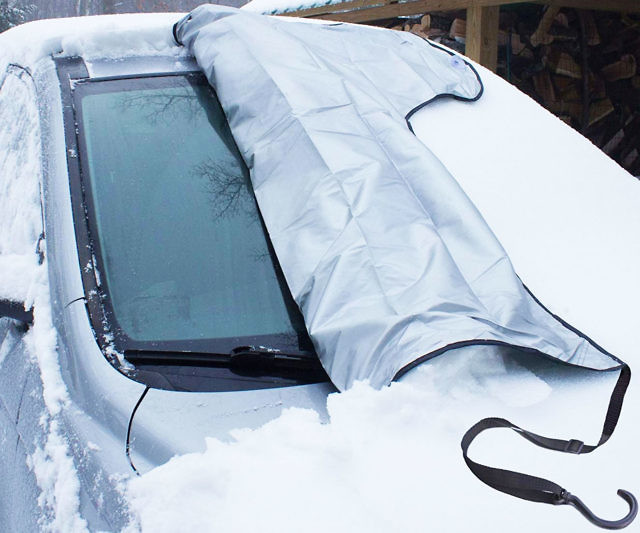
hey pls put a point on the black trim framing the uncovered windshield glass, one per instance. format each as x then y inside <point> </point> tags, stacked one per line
<point>110,337</point>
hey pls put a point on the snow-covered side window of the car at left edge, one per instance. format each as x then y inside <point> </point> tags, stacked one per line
<point>20,178</point>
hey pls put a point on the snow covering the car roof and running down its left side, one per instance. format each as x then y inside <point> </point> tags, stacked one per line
<point>21,277</point>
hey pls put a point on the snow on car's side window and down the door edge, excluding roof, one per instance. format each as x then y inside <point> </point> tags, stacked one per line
<point>23,279</point>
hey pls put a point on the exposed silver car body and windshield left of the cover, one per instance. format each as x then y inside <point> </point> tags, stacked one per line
<point>161,283</point>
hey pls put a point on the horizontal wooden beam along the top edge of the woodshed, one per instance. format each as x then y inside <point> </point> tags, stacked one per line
<point>371,10</point>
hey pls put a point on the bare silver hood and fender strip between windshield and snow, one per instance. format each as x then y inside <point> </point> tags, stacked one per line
<point>107,406</point>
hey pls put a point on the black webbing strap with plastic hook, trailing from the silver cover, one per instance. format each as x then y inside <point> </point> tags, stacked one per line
<point>538,489</point>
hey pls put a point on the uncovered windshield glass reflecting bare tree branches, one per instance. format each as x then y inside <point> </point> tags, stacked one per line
<point>183,252</point>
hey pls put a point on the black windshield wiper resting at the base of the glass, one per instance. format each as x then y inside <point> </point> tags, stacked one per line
<point>243,360</point>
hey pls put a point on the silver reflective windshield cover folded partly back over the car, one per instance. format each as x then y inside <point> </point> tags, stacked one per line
<point>388,259</point>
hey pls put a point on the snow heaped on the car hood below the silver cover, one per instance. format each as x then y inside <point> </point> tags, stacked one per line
<point>389,460</point>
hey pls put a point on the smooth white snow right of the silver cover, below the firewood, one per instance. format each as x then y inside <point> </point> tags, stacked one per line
<point>565,212</point>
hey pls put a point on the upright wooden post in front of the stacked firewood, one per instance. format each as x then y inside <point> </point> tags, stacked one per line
<point>481,43</point>
